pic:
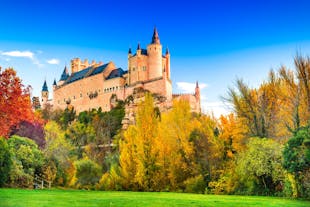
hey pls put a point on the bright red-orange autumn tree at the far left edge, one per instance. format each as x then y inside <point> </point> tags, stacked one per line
<point>15,103</point>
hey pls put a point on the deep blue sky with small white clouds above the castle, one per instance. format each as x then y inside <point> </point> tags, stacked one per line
<point>213,42</point>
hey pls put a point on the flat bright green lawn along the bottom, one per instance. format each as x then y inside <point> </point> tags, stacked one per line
<point>77,198</point>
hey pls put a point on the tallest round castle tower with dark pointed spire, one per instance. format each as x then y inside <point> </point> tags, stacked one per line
<point>154,51</point>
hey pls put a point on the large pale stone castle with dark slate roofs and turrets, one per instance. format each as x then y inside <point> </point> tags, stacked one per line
<point>94,85</point>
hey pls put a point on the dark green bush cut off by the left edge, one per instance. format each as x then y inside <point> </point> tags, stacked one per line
<point>5,161</point>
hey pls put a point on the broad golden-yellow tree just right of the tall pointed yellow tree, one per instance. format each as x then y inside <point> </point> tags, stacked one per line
<point>175,144</point>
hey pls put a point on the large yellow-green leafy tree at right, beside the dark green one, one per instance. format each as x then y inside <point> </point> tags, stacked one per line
<point>260,166</point>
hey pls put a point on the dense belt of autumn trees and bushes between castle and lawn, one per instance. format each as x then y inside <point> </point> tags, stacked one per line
<point>260,149</point>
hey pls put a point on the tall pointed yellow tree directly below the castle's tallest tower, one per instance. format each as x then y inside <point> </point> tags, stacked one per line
<point>141,140</point>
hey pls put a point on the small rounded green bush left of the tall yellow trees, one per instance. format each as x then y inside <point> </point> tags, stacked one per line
<point>87,173</point>
